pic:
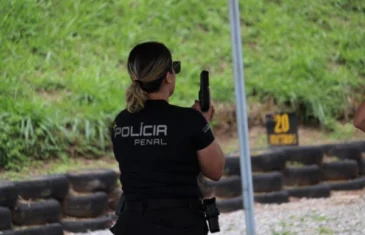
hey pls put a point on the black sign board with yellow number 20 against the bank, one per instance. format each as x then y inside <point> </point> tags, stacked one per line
<point>282,129</point>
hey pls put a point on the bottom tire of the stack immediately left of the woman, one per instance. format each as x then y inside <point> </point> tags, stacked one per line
<point>85,225</point>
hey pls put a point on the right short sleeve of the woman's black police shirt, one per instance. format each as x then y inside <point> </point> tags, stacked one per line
<point>202,134</point>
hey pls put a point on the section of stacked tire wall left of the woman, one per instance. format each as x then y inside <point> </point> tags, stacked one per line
<point>54,204</point>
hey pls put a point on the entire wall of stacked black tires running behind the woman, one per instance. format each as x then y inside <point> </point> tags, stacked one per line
<point>86,201</point>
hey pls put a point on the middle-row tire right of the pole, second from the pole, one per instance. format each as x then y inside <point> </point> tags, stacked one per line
<point>301,176</point>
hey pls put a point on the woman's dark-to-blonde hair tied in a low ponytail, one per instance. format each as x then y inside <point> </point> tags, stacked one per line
<point>148,64</point>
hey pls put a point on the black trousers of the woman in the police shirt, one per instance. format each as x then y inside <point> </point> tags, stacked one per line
<point>169,220</point>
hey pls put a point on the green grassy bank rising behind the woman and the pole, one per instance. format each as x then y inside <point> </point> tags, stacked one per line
<point>63,76</point>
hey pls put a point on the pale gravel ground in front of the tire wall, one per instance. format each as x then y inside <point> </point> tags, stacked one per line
<point>343,214</point>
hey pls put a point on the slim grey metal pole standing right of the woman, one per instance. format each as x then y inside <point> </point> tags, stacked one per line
<point>242,124</point>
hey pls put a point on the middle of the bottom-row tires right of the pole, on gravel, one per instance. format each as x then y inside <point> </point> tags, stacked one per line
<point>313,191</point>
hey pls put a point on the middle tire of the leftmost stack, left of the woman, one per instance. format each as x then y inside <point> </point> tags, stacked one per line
<point>37,213</point>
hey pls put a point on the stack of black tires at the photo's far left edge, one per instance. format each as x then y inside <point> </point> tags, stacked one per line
<point>33,206</point>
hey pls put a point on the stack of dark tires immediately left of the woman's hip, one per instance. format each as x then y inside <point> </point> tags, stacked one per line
<point>86,207</point>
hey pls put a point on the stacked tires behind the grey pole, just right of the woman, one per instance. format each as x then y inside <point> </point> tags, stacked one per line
<point>267,182</point>
